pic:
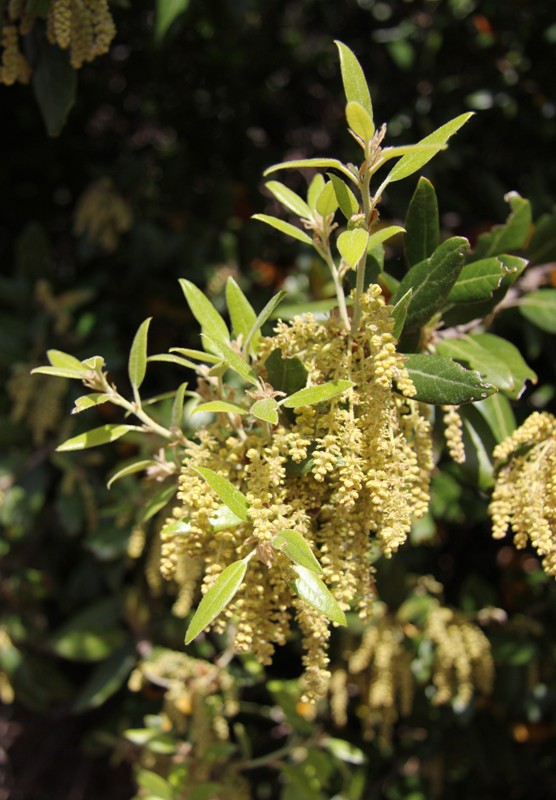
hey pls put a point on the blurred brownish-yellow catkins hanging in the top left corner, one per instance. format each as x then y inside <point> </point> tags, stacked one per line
<point>84,27</point>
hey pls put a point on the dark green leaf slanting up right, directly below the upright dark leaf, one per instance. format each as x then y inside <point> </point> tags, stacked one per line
<point>432,281</point>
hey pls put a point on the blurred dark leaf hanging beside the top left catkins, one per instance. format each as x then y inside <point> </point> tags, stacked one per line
<point>54,82</point>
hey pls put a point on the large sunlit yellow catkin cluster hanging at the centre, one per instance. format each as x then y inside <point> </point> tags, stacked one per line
<point>347,475</point>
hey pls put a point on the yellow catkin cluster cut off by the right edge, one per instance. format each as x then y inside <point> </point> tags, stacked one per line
<point>524,497</point>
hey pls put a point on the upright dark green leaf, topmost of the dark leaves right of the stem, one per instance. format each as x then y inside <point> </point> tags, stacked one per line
<point>421,224</point>
